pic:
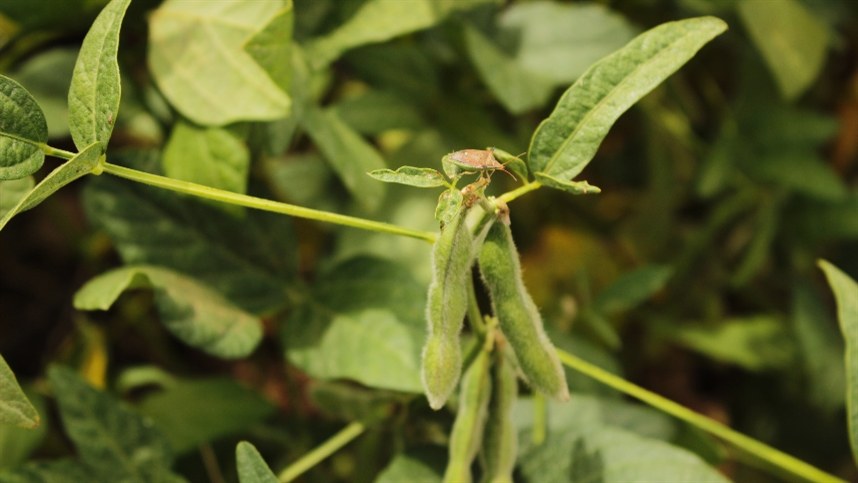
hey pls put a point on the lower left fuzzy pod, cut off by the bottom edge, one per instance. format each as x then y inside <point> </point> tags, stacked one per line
<point>467,433</point>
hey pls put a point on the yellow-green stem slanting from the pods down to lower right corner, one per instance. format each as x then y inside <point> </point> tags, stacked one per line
<point>738,440</point>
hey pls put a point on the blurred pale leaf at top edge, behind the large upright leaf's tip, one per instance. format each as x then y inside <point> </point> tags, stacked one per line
<point>559,41</point>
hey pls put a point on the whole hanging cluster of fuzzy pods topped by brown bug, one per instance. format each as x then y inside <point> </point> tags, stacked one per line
<point>475,227</point>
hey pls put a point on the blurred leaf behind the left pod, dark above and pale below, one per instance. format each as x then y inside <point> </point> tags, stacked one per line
<point>364,321</point>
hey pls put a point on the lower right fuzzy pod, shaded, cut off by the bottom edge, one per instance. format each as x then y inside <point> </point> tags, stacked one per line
<point>500,439</point>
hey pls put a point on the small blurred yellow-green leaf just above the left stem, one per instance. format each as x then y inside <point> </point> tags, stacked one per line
<point>208,156</point>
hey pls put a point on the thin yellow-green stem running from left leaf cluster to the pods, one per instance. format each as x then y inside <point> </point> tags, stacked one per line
<point>261,203</point>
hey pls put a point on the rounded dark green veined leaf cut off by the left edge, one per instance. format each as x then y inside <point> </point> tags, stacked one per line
<point>23,130</point>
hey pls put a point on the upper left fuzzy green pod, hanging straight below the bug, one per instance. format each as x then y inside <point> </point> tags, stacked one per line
<point>447,302</point>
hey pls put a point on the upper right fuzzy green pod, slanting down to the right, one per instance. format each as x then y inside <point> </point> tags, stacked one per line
<point>518,316</point>
